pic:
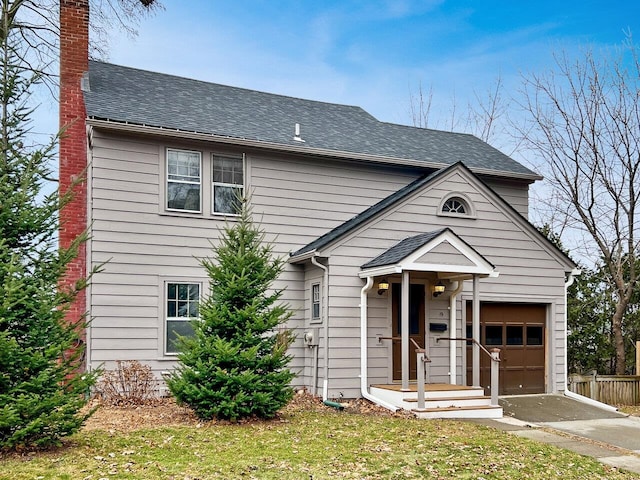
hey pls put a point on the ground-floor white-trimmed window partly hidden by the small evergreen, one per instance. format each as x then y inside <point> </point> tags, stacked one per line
<point>181,308</point>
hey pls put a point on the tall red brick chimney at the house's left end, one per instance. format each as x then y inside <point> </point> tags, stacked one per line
<point>74,62</point>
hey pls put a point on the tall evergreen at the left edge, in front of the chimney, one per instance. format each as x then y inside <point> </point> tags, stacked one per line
<point>41,389</point>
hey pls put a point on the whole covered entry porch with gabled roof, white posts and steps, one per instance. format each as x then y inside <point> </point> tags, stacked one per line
<point>440,262</point>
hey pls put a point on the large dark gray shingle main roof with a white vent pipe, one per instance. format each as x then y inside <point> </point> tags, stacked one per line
<point>128,95</point>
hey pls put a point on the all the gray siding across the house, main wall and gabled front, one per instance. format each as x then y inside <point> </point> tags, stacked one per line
<point>295,199</point>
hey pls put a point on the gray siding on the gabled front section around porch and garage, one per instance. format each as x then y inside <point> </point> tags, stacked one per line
<point>527,271</point>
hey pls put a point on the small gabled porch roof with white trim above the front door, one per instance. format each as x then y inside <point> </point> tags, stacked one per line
<point>438,251</point>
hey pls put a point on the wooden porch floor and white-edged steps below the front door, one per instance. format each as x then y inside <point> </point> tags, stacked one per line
<point>440,400</point>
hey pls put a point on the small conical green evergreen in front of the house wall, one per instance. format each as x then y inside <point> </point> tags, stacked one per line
<point>235,365</point>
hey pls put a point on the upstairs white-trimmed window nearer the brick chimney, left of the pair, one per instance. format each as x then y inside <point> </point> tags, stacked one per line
<point>184,169</point>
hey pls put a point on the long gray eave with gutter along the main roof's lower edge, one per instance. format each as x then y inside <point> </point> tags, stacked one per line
<point>299,149</point>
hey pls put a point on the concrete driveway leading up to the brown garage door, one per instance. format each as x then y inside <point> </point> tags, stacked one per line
<point>611,437</point>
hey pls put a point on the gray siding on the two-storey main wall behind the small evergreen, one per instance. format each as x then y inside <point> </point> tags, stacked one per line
<point>294,199</point>
